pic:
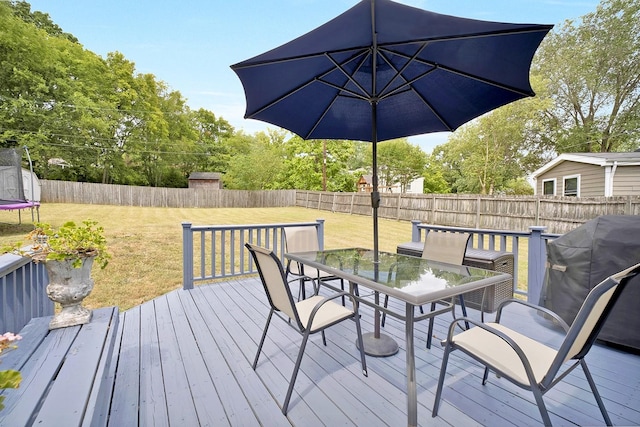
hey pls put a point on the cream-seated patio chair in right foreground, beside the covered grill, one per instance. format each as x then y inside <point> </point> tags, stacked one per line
<point>531,364</point>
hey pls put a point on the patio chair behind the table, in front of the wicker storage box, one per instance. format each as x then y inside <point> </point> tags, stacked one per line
<point>448,248</point>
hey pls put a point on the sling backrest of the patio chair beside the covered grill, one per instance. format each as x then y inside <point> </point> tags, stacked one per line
<point>592,314</point>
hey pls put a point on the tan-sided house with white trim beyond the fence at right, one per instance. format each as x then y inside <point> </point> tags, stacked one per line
<point>589,175</point>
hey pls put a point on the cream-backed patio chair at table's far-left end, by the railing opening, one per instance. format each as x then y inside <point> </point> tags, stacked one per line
<point>305,239</point>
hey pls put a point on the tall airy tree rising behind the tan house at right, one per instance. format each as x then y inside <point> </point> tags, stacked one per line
<point>593,73</point>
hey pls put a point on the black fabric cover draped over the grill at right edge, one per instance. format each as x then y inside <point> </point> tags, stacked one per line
<point>582,258</point>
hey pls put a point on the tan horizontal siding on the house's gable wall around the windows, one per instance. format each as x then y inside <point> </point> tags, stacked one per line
<point>591,178</point>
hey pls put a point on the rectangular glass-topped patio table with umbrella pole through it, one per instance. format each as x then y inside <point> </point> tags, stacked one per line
<point>414,281</point>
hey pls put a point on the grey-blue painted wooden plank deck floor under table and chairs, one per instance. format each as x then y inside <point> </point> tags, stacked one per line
<point>184,359</point>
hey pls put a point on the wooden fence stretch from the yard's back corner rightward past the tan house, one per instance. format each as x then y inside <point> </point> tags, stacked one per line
<point>557,214</point>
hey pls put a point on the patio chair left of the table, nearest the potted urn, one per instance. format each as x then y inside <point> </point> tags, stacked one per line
<point>309,316</point>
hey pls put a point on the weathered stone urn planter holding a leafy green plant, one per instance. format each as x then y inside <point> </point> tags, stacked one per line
<point>69,252</point>
